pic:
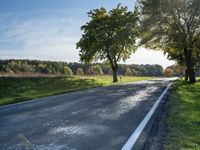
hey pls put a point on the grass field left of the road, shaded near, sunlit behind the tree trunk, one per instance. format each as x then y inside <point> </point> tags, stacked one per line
<point>14,90</point>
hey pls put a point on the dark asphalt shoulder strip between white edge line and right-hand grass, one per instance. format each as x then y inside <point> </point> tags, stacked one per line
<point>154,135</point>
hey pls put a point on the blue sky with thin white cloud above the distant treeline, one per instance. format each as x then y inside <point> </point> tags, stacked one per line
<point>50,29</point>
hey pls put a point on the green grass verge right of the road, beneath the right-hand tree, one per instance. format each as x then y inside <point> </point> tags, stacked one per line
<point>184,117</point>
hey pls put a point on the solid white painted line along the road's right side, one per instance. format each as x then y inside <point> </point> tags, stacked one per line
<point>135,135</point>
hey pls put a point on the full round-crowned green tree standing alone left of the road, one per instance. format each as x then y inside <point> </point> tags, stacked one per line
<point>109,36</point>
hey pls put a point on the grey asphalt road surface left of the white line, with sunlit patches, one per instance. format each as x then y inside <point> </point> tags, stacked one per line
<point>96,119</point>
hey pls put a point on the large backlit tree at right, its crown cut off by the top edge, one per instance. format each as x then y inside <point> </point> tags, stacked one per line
<point>173,26</point>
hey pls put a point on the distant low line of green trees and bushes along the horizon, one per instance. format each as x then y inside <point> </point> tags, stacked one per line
<point>13,66</point>
